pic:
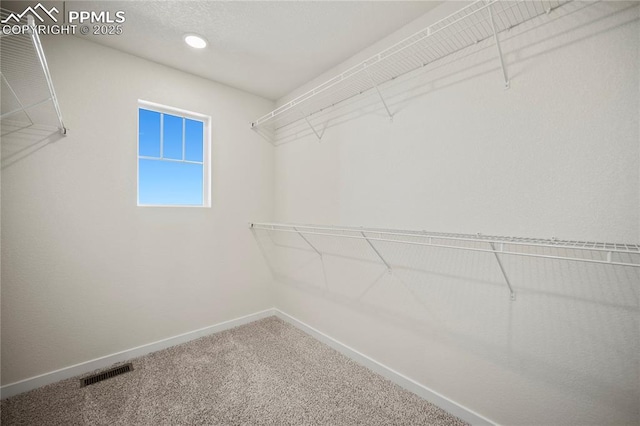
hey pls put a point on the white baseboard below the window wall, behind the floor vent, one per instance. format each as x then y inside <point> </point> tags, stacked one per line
<point>108,360</point>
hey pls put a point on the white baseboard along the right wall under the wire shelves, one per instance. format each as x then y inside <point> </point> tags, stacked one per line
<point>397,378</point>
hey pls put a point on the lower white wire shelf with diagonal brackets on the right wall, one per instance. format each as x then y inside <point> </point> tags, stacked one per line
<point>614,254</point>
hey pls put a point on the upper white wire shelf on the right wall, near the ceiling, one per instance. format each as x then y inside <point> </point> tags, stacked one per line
<point>479,21</point>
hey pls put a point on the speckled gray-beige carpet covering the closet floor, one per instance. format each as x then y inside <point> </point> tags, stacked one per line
<point>264,373</point>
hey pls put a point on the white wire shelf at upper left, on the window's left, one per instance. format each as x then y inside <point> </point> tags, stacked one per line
<point>28,95</point>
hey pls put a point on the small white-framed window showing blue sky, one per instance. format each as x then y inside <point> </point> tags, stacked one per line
<point>173,157</point>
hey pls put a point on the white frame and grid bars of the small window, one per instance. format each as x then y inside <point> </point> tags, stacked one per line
<point>206,147</point>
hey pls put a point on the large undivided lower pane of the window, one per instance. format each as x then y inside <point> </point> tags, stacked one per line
<point>169,183</point>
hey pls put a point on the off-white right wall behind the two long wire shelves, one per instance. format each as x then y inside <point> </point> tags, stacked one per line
<point>557,155</point>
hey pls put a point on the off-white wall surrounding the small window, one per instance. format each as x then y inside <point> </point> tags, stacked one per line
<point>86,273</point>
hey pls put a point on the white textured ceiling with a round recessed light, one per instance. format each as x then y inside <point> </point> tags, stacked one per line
<point>268,48</point>
